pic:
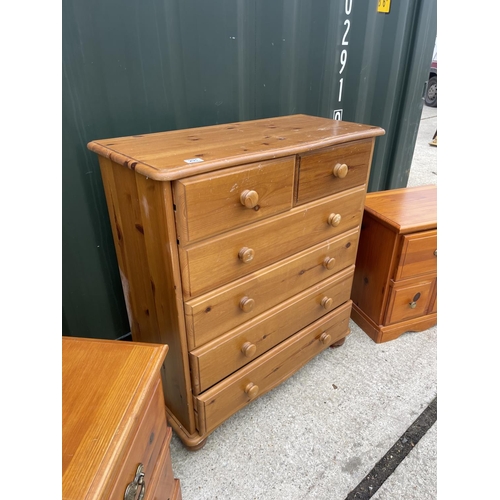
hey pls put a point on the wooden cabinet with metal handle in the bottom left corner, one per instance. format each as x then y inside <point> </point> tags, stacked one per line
<point>115,435</point>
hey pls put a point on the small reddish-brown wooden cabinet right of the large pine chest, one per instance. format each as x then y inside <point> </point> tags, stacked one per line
<point>395,281</point>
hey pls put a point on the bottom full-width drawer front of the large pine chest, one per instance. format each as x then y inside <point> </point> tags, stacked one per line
<point>221,401</point>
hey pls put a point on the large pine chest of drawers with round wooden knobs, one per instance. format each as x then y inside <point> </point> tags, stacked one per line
<point>236,245</point>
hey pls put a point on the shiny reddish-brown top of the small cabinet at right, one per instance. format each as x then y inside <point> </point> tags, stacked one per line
<point>406,209</point>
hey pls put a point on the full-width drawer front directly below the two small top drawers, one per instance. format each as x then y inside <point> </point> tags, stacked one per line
<point>208,265</point>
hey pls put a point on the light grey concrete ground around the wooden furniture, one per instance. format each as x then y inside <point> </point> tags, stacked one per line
<point>322,431</point>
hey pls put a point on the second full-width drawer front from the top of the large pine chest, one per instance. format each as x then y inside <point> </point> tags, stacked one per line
<point>217,312</point>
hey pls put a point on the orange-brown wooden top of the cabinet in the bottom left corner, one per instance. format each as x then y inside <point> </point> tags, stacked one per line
<point>105,391</point>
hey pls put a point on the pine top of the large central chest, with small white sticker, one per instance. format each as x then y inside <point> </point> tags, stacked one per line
<point>171,155</point>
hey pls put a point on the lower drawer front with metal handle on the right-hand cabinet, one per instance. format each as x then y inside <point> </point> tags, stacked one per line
<point>409,299</point>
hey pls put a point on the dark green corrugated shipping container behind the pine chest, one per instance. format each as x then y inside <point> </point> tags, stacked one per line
<point>139,67</point>
